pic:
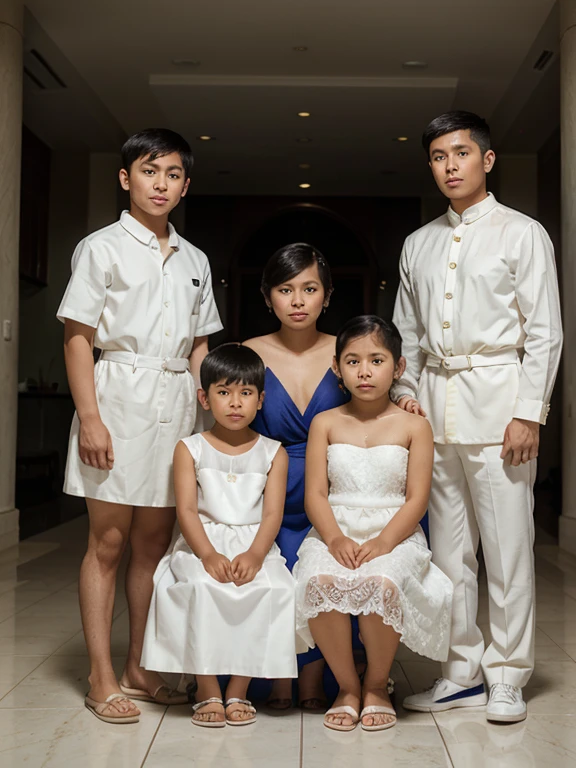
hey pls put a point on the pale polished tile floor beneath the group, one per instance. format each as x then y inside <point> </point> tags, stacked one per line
<point>43,668</point>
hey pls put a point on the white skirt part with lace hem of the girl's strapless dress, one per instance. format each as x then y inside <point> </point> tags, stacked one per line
<point>404,587</point>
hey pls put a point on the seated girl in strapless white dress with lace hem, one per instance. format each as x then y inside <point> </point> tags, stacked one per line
<point>368,473</point>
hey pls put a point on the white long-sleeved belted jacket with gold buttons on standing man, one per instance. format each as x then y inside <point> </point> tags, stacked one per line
<point>485,284</point>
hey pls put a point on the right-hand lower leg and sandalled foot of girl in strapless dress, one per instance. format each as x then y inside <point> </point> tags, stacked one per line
<point>381,643</point>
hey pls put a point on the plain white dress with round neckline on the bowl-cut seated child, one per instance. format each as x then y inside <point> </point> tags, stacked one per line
<point>198,625</point>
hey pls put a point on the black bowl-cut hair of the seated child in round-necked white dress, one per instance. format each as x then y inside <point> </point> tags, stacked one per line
<point>234,363</point>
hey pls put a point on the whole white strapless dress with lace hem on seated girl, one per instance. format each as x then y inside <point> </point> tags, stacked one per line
<point>367,488</point>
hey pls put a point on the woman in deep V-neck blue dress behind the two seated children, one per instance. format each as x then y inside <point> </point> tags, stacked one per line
<point>300,383</point>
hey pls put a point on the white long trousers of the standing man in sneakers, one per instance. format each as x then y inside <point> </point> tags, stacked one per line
<point>475,496</point>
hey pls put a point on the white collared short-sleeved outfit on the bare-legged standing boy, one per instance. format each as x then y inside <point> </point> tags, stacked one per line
<point>138,302</point>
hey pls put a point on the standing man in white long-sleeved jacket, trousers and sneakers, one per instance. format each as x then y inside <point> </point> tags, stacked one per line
<point>479,313</point>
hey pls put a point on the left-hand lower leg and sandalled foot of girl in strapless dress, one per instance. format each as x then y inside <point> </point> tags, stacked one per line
<point>332,633</point>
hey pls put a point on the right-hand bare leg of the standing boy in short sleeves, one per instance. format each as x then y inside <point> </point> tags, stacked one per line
<point>150,536</point>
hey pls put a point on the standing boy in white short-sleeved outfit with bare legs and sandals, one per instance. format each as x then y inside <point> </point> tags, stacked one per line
<point>143,295</point>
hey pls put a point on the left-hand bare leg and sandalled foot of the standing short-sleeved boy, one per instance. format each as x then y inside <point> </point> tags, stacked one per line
<point>109,534</point>
